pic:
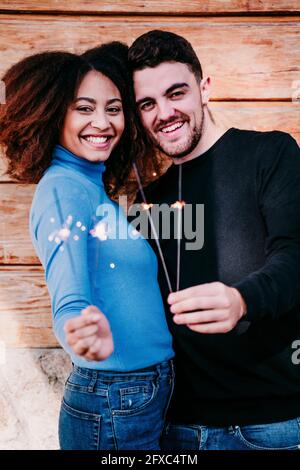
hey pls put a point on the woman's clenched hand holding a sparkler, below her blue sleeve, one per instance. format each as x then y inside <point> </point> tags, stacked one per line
<point>89,335</point>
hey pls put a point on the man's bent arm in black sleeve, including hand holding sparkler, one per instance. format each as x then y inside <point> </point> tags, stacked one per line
<point>275,288</point>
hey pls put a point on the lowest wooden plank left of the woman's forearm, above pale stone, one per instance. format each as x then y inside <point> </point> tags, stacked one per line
<point>25,314</point>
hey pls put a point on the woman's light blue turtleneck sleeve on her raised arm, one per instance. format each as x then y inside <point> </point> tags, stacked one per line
<point>63,203</point>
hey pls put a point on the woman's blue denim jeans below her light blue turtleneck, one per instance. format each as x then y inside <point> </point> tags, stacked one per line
<point>115,411</point>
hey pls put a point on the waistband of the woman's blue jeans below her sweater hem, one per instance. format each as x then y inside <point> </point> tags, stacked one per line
<point>96,373</point>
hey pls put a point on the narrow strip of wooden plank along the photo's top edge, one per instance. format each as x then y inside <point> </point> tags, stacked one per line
<point>154,6</point>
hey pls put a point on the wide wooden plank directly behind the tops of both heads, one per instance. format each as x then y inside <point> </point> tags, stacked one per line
<point>249,58</point>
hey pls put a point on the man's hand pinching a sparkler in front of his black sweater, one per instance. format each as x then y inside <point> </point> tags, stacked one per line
<point>208,308</point>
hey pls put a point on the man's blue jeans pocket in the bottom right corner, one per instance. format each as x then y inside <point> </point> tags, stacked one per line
<point>284,435</point>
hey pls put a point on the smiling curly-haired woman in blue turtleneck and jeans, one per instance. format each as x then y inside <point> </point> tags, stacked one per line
<point>66,116</point>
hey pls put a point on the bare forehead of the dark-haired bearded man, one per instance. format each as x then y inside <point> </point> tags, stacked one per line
<point>154,80</point>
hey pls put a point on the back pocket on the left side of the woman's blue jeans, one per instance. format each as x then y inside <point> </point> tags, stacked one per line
<point>78,430</point>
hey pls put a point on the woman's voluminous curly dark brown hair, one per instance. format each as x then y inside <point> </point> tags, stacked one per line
<point>39,90</point>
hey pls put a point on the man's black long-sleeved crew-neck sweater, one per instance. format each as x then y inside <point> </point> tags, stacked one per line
<point>249,183</point>
